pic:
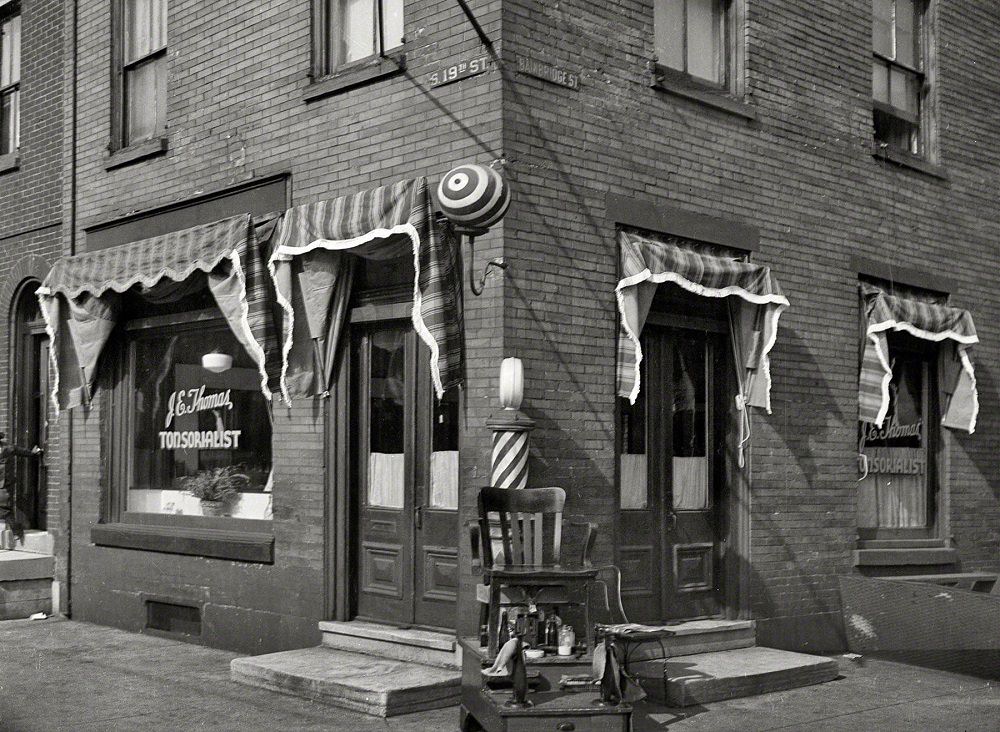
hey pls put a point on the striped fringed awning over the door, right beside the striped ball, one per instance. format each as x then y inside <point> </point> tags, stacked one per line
<point>313,266</point>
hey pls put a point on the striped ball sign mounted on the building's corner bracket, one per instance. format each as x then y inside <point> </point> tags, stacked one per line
<point>473,196</point>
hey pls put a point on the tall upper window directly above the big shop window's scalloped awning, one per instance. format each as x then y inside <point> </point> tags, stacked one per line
<point>142,71</point>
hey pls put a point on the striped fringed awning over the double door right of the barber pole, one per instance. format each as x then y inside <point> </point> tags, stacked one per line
<point>755,302</point>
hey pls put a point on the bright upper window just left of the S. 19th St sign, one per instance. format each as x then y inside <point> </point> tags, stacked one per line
<point>353,30</point>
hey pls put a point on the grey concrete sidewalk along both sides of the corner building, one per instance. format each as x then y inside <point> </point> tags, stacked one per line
<point>65,675</point>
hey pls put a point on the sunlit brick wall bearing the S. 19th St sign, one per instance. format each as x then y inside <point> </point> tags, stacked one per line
<point>237,73</point>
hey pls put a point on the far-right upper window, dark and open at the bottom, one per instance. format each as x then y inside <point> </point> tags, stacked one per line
<point>899,80</point>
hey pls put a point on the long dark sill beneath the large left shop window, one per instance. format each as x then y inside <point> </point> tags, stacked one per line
<point>241,546</point>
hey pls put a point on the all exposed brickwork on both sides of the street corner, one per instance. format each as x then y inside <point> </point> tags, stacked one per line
<point>802,173</point>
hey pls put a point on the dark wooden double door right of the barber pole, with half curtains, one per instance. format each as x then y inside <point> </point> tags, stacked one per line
<point>673,460</point>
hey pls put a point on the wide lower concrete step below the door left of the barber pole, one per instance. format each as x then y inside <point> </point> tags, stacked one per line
<point>355,681</point>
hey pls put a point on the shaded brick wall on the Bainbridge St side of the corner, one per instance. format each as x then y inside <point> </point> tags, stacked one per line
<point>803,174</point>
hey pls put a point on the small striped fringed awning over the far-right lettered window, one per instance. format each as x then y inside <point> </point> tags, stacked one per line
<point>949,326</point>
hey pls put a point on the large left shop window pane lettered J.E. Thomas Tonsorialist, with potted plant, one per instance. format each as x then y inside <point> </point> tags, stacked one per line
<point>188,421</point>
